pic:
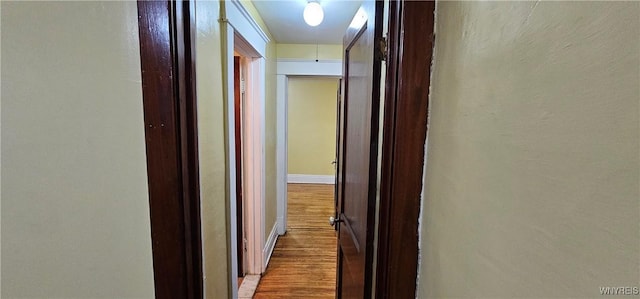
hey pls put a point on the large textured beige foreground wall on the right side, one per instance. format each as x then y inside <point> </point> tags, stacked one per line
<point>532,176</point>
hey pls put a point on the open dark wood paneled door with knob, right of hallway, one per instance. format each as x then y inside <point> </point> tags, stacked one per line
<point>359,153</point>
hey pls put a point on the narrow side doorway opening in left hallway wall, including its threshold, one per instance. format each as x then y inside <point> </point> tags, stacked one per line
<point>249,213</point>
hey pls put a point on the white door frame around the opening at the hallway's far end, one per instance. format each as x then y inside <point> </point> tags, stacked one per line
<point>284,69</point>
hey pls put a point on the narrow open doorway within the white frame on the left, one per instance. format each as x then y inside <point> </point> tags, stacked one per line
<point>248,161</point>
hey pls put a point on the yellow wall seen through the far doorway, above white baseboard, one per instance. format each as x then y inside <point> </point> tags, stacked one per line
<point>311,125</point>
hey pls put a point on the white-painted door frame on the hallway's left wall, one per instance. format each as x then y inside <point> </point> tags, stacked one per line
<point>242,34</point>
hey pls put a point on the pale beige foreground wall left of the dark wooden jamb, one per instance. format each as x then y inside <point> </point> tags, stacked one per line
<point>75,211</point>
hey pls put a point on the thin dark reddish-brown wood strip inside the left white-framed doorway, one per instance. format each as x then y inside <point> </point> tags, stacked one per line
<point>238,134</point>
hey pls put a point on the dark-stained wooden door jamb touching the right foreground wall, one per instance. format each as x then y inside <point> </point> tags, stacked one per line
<point>405,127</point>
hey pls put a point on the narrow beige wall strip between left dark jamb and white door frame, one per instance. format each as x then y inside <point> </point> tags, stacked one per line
<point>211,148</point>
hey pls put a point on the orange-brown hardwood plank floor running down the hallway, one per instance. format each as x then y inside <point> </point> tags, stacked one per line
<point>303,264</point>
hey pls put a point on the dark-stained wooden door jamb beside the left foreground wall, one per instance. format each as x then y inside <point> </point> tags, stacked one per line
<point>168,86</point>
